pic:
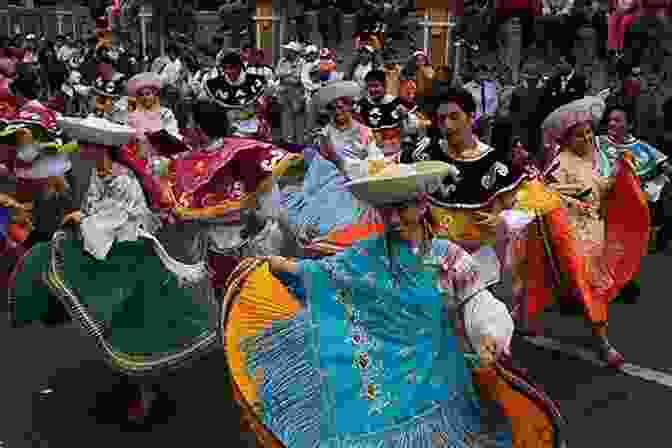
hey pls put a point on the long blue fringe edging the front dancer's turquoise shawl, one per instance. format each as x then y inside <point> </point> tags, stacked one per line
<point>280,360</point>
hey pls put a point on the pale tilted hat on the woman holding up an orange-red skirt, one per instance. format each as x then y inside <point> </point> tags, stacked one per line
<point>558,122</point>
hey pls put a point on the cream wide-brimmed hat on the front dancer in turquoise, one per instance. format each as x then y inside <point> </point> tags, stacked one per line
<point>400,183</point>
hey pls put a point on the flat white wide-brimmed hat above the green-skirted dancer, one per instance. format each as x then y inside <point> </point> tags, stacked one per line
<point>97,131</point>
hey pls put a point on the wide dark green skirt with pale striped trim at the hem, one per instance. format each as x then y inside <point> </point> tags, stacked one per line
<point>141,316</point>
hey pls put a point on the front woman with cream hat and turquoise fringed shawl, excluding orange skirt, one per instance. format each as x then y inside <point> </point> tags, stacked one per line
<point>372,359</point>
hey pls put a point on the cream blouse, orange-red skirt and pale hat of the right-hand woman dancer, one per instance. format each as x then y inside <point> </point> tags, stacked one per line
<point>586,251</point>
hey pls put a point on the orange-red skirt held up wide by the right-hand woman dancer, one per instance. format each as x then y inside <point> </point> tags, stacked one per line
<point>554,267</point>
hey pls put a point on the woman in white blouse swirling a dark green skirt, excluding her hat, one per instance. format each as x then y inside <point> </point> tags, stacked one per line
<point>147,311</point>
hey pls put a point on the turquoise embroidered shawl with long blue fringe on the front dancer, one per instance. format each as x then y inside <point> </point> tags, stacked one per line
<point>372,356</point>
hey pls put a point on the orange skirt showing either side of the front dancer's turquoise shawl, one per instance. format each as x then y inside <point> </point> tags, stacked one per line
<point>255,299</point>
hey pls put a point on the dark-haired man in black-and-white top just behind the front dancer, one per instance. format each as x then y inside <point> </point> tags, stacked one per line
<point>468,208</point>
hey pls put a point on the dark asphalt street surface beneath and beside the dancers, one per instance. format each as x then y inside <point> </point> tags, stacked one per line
<point>53,380</point>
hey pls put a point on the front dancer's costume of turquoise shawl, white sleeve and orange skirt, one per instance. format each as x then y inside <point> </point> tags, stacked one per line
<point>344,353</point>
